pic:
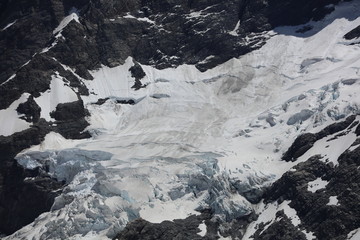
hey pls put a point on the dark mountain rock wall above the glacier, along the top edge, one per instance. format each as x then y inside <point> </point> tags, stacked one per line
<point>164,34</point>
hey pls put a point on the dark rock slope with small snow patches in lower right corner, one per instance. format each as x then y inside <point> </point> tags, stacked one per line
<point>329,212</point>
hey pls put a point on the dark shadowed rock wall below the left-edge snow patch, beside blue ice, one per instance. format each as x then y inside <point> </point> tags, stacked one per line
<point>21,201</point>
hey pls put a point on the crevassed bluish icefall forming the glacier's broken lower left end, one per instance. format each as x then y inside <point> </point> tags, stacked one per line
<point>103,193</point>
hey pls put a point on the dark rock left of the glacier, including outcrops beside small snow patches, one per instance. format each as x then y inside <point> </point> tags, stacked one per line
<point>25,194</point>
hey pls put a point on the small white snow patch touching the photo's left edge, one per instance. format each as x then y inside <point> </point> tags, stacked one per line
<point>9,118</point>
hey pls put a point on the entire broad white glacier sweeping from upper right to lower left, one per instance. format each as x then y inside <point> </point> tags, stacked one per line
<point>193,133</point>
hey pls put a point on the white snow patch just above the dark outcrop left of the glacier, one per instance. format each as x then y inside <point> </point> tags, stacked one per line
<point>59,92</point>
